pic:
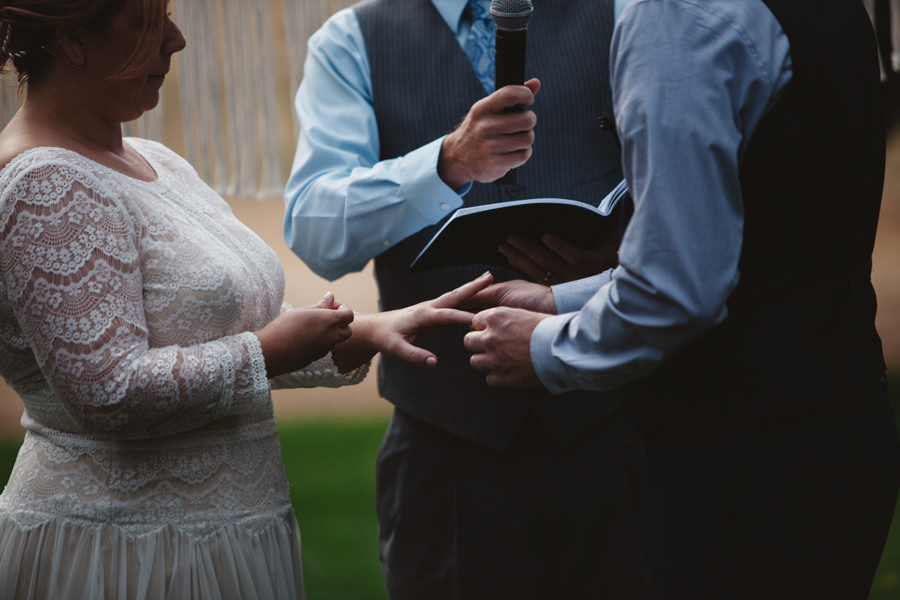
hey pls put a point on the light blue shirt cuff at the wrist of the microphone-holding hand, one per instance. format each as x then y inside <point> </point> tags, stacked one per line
<point>423,188</point>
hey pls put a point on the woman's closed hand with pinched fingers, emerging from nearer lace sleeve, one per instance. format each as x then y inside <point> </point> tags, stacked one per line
<point>301,335</point>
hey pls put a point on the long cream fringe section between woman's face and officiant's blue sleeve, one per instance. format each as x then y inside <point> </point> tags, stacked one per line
<point>228,100</point>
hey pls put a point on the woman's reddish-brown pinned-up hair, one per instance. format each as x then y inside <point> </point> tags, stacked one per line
<point>30,28</point>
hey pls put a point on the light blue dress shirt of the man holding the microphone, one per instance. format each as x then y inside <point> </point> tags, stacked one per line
<point>344,206</point>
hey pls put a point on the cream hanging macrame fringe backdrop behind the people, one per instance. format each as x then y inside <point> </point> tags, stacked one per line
<point>228,109</point>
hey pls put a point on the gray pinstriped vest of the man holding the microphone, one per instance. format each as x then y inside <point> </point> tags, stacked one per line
<point>423,86</point>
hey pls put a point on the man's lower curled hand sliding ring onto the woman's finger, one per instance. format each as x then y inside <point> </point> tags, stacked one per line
<point>501,341</point>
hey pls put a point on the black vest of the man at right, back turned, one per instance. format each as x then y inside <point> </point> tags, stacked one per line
<point>800,333</point>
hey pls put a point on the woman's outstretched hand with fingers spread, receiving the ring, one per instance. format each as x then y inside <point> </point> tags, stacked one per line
<point>395,332</point>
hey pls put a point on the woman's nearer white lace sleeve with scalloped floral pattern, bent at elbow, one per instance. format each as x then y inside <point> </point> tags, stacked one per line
<point>69,257</point>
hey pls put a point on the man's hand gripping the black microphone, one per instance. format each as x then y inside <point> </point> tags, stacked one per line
<point>490,142</point>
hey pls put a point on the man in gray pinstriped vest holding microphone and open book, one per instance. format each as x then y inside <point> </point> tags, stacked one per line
<point>481,493</point>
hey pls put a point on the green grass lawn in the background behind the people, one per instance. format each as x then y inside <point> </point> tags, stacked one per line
<point>330,465</point>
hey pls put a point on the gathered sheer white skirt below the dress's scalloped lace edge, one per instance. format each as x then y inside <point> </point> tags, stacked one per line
<point>64,561</point>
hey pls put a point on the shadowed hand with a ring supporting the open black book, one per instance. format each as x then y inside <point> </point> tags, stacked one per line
<point>557,261</point>
